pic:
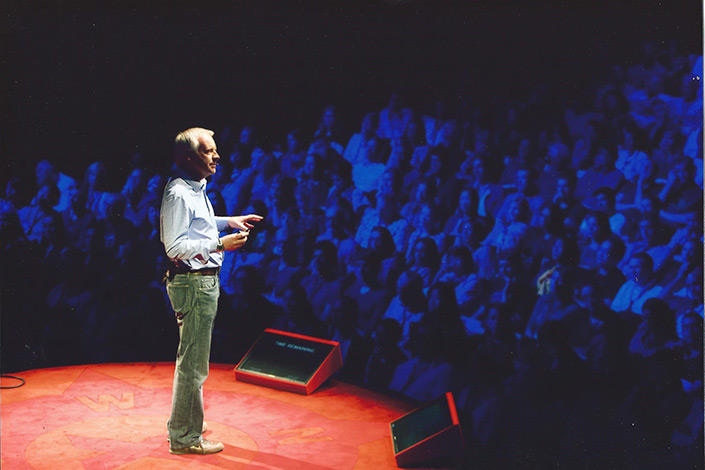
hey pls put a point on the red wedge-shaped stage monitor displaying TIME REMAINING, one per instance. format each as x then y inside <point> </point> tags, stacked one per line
<point>289,361</point>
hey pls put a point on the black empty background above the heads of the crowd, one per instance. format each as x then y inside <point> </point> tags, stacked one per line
<point>88,81</point>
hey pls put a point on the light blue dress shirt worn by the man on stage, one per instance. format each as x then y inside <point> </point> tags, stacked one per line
<point>188,227</point>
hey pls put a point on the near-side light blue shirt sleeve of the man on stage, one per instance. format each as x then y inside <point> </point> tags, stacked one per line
<point>175,217</point>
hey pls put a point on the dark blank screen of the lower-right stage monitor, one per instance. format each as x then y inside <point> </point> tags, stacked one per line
<point>421,424</point>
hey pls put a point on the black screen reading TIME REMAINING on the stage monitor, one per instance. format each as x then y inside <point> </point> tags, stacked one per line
<point>285,357</point>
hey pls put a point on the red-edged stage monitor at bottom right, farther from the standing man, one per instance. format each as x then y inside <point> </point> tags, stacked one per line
<point>428,435</point>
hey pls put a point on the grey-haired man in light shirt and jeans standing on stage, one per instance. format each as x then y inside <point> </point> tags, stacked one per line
<point>190,233</point>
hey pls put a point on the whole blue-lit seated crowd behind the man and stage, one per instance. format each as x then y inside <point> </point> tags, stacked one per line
<point>541,258</point>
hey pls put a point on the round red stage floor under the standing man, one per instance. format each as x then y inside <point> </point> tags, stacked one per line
<point>113,416</point>
